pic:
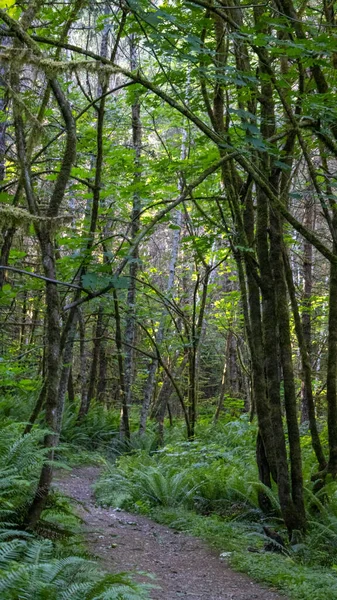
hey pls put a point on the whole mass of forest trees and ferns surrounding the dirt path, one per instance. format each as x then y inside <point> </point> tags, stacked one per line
<point>168,249</point>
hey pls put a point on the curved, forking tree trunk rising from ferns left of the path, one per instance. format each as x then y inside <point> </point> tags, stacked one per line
<point>47,248</point>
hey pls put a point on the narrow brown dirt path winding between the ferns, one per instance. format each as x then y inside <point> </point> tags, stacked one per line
<point>184,566</point>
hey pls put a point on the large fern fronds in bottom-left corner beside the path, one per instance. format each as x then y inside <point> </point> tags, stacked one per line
<point>29,570</point>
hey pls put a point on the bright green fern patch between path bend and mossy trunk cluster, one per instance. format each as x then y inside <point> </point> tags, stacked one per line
<point>210,474</point>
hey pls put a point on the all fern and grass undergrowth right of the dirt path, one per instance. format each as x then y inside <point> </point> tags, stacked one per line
<point>209,488</point>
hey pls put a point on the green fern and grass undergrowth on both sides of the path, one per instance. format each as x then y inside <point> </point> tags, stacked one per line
<point>208,487</point>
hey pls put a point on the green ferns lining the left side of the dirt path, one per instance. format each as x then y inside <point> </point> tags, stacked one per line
<point>50,562</point>
